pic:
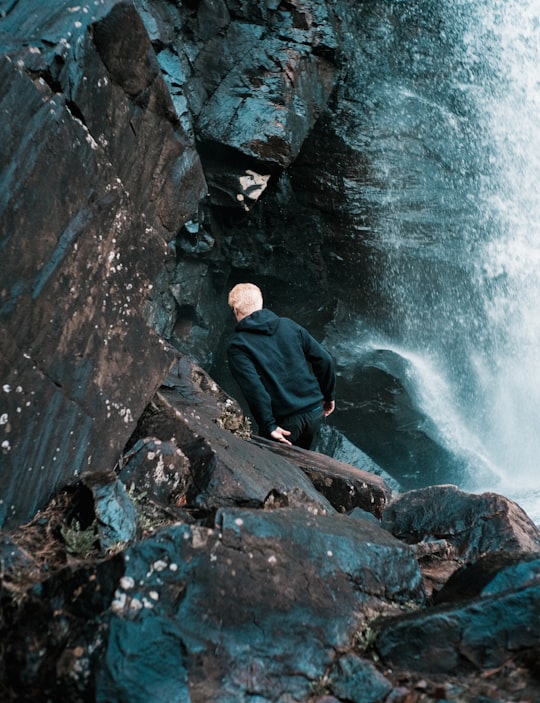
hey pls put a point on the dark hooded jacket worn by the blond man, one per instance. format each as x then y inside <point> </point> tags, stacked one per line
<point>280,368</point>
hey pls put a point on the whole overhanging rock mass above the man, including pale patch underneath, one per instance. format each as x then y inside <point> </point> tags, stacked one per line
<point>251,79</point>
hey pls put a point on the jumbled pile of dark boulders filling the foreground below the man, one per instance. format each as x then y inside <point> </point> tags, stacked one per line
<point>218,572</point>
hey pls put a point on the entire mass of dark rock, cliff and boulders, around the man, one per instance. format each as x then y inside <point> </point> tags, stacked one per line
<point>153,154</point>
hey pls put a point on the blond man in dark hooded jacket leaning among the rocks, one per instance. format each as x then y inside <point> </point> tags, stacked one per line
<point>286,376</point>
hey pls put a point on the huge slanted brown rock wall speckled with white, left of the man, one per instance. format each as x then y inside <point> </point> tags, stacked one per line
<point>99,219</point>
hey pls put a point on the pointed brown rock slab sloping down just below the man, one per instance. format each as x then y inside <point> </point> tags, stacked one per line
<point>190,410</point>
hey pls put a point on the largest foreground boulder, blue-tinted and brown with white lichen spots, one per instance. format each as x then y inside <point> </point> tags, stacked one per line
<point>264,603</point>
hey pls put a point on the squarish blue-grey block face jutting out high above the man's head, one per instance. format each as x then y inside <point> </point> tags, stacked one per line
<point>281,88</point>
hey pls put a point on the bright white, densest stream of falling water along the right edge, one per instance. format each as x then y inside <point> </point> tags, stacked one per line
<point>510,261</point>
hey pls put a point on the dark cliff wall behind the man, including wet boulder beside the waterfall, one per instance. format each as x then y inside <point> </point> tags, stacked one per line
<point>153,155</point>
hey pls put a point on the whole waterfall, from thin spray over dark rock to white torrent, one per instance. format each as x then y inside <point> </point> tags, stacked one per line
<point>454,164</point>
